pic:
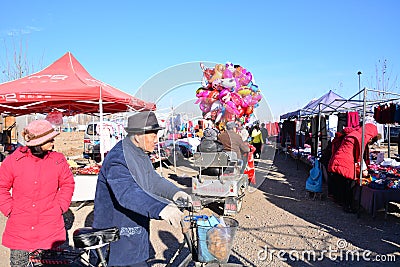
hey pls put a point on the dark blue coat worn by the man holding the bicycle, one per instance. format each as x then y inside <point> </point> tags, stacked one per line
<point>121,202</point>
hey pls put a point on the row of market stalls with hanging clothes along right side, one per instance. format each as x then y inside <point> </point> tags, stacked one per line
<point>382,185</point>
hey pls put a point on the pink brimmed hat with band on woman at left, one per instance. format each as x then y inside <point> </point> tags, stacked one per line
<point>38,132</point>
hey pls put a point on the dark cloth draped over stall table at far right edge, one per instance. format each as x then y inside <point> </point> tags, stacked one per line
<point>373,200</point>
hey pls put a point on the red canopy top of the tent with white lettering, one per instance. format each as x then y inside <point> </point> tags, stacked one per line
<point>64,85</point>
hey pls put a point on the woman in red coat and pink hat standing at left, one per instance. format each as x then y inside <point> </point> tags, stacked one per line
<point>42,185</point>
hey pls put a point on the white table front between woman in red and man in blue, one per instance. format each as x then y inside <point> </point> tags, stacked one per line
<point>85,187</point>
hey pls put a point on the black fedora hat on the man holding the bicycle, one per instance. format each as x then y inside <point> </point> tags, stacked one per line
<point>141,122</point>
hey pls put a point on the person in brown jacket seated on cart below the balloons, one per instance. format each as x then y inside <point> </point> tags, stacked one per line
<point>232,141</point>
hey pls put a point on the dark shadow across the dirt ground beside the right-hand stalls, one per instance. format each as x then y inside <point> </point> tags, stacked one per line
<point>378,235</point>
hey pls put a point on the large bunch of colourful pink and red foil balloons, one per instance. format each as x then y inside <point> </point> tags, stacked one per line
<point>228,93</point>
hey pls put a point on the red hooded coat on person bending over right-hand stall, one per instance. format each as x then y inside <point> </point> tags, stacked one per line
<point>348,153</point>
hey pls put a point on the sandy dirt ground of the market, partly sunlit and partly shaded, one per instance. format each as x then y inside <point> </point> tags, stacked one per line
<point>279,225</point>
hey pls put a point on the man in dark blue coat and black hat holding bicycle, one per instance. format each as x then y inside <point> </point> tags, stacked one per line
<point>130,192</point>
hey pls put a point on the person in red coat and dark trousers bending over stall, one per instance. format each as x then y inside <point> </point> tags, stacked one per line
<point>346,159</point>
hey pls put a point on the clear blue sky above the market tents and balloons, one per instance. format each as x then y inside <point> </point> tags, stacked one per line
<point>296,50</point>
